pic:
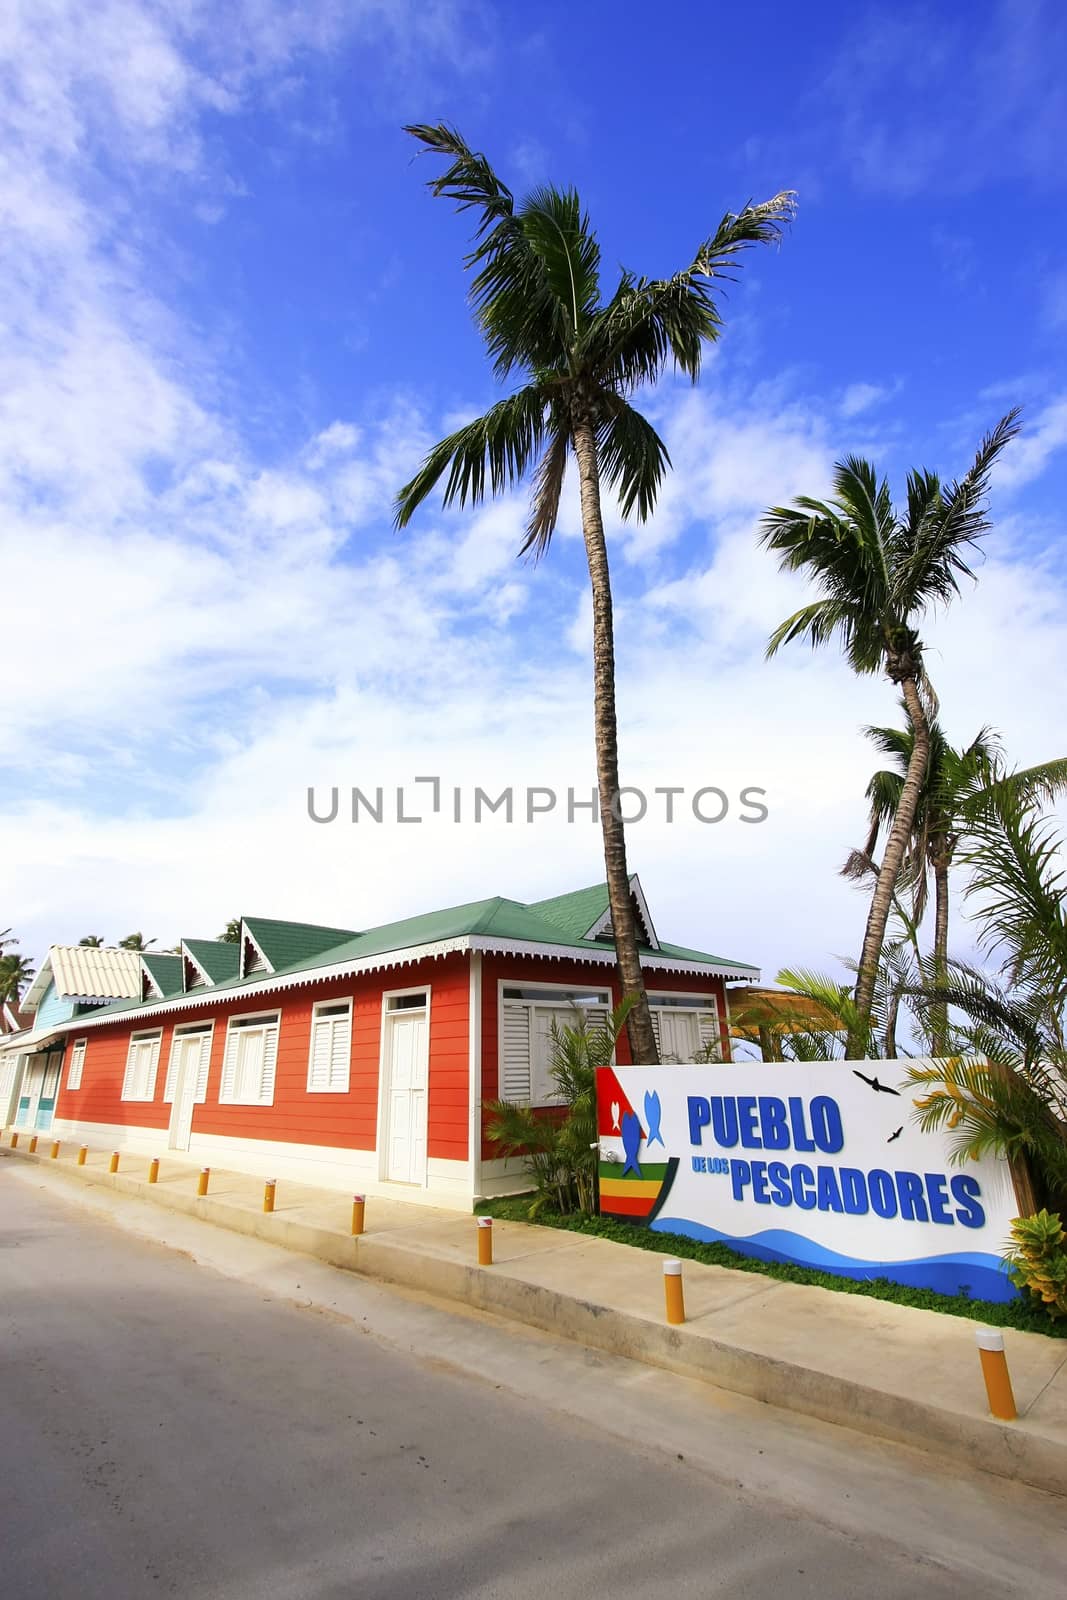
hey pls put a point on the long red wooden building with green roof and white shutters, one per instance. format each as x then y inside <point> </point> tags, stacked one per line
<point>361,1060</point>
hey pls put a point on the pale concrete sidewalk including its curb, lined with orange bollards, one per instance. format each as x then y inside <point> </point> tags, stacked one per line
<point>887,1370</point>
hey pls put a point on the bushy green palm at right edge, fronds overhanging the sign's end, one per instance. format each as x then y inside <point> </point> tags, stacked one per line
<point>1005,1087</point>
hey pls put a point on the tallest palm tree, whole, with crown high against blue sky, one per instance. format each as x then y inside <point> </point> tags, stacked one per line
<point>538,305</point>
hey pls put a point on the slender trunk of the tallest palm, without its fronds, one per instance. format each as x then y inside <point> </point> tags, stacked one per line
<point>607,737</point>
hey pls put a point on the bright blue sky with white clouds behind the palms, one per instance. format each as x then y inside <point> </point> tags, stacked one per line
<point>234,319</point>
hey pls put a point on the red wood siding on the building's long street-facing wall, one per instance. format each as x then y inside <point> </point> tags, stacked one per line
<point>345,1121</point>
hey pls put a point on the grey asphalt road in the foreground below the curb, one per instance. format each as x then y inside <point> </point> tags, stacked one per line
<point>167,1428</point>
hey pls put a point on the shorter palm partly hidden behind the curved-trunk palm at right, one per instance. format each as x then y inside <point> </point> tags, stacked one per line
<point>957,786</point>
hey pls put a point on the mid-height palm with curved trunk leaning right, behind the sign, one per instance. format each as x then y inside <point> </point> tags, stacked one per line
<point>881,572</point>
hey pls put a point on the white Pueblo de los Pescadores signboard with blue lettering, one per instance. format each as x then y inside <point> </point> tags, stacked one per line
<point>813,1164</point>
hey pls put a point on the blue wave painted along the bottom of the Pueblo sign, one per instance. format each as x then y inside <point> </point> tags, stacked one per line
<point>977,1274</point>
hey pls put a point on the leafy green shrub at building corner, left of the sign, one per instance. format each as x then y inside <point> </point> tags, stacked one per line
<point>562,1150</point>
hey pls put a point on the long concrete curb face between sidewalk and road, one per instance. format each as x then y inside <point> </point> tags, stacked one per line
<point>1010,1450</point>
